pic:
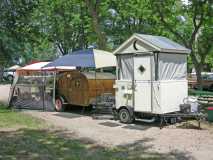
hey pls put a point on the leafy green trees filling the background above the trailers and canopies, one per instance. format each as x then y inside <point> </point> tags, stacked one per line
<point>42,29</point>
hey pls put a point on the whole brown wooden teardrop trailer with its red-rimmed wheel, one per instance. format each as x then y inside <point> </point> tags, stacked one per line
<point>82,88</point>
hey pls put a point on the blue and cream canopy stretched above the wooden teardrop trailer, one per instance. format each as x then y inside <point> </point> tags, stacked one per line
<point>85,58</point>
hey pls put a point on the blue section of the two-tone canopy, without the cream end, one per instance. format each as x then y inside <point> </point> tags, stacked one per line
<point>82,58</point>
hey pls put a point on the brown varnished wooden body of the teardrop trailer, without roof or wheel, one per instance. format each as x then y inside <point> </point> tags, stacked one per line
<point>78,90</point>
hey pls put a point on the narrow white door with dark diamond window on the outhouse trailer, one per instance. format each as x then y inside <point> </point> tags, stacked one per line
<point>142,79</point>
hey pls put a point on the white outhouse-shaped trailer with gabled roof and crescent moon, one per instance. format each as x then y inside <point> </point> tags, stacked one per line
<point>151,76</point>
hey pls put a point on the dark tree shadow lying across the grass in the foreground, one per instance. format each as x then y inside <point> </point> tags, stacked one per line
<point>30,144</point>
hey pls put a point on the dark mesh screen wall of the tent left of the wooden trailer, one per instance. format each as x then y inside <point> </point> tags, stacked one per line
<point>33,92</point>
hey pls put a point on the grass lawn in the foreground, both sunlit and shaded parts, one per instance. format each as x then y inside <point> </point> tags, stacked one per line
<point>23,137</point>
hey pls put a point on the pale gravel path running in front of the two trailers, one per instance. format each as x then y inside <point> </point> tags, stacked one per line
<point>188,143</point>
